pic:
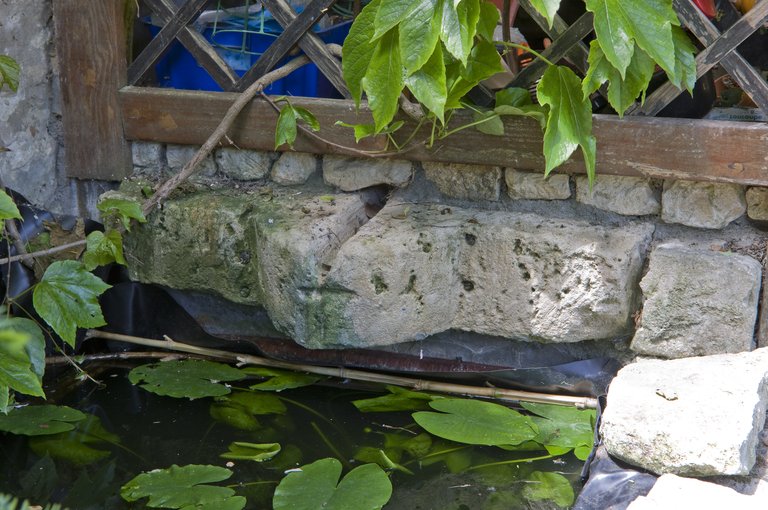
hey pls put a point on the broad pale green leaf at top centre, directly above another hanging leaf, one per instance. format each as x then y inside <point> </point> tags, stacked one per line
<point>419,34</point>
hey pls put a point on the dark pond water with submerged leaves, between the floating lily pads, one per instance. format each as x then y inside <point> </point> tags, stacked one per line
<point>138,431</point>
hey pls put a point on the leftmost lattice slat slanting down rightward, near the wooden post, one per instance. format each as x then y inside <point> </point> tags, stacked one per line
<point>198,46</point>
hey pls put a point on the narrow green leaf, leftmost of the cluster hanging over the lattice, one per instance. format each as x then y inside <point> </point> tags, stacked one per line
<point>359,47</point>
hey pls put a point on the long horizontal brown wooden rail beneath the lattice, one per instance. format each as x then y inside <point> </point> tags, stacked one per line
<point>714,151</point>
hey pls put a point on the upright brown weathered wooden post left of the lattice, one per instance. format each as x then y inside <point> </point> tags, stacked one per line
<point>91,48</point>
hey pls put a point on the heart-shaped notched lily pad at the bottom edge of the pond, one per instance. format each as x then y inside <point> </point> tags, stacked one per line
<point>314,487</point>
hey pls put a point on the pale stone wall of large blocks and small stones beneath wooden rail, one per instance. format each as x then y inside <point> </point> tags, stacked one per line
<point>349,252</point>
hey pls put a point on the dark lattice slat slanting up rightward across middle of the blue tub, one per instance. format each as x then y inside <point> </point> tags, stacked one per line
<point>284,42</point>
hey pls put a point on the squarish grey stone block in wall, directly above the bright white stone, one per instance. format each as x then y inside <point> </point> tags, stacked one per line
<point>697,302</point>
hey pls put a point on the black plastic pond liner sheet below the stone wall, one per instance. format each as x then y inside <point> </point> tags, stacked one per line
<point>151,311</point>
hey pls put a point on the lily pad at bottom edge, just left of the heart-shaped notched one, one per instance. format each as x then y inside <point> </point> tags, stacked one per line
<point>181,487</point>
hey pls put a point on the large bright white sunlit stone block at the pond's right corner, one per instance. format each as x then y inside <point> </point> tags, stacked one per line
<point>692,417</point>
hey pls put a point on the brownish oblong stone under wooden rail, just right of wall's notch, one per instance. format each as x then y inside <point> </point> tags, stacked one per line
<point>471,182</point>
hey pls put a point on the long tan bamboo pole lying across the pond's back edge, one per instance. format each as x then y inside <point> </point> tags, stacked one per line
<point>359,375</point>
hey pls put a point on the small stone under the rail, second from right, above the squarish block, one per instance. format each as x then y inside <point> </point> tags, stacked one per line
<point>702,204</point>
